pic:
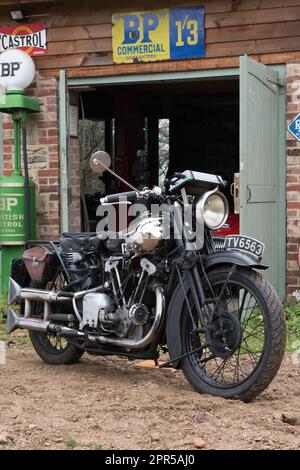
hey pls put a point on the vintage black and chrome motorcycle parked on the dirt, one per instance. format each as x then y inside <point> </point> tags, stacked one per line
<point>142,293</point>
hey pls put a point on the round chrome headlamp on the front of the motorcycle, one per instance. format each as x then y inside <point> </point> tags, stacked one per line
<point>213,209</point>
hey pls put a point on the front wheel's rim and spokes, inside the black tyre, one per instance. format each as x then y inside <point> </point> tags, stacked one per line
<point>233,370</point>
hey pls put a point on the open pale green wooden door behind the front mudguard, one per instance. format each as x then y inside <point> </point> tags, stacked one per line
<point>260,153</point>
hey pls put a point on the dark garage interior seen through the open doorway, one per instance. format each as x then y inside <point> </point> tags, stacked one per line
<point>152,130</point>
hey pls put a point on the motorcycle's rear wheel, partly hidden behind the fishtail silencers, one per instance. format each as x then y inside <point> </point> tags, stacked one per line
<point>51,349</point>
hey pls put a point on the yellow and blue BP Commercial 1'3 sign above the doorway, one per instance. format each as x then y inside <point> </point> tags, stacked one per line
<point>148,36</point>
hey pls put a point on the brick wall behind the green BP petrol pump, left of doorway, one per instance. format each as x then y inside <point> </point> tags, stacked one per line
<point>42,155</point>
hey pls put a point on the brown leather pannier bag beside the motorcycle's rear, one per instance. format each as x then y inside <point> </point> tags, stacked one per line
<point>36,260</point>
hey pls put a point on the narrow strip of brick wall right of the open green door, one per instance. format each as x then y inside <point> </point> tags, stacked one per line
<point>293,182</point>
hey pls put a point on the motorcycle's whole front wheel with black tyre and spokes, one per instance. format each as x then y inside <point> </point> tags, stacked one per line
<point>246,338</point>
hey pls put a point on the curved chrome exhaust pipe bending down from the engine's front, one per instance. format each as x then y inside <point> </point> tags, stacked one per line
<point>146,340</point>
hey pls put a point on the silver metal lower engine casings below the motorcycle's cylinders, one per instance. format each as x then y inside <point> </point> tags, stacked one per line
<point>99,313</point>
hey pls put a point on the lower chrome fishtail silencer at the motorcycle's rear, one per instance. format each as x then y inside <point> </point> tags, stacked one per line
<point>14,321</point>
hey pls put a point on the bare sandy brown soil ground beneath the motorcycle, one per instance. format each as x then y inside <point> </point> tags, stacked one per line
<point>111,403</point>
